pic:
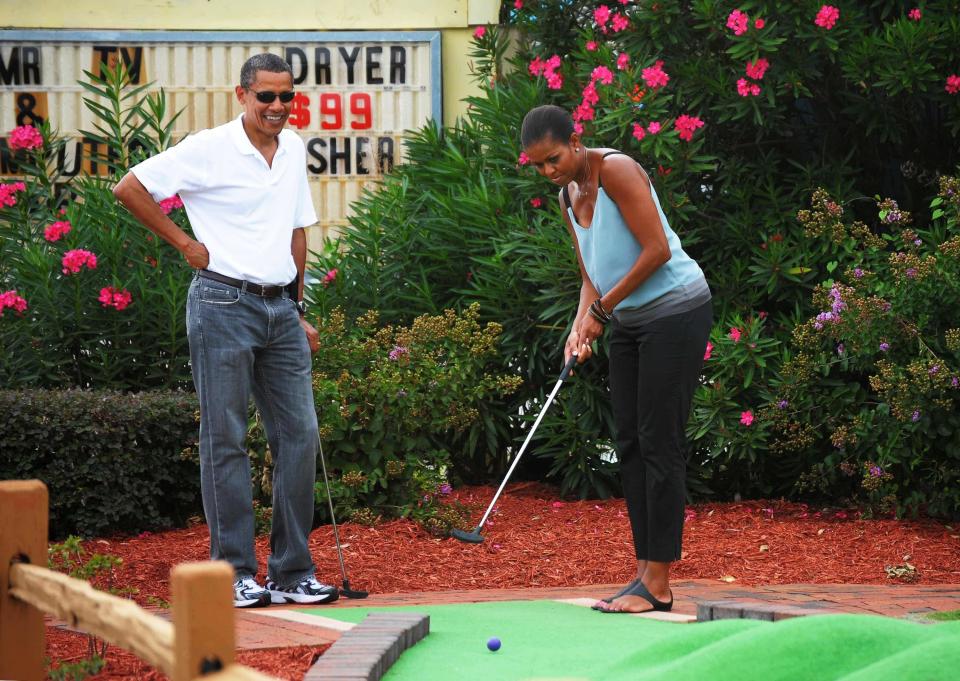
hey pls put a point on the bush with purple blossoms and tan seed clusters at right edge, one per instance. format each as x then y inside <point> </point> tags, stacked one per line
<point>868,403</point>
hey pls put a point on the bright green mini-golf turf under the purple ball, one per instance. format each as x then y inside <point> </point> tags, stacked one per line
<point>544,639</point>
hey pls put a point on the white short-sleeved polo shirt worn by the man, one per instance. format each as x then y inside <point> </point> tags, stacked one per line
<point>241,209</point>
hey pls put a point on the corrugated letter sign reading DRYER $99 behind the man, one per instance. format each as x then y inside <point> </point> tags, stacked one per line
<point>340,104</point>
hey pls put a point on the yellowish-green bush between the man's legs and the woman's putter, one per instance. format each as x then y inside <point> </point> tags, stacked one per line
<point>395,403</point>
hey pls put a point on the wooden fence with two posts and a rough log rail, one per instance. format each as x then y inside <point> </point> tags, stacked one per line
<point>199,641</point>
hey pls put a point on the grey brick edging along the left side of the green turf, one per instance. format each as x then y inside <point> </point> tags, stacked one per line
<point>367,651</point>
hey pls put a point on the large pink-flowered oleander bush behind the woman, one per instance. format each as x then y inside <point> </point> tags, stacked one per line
<point>740,112</point>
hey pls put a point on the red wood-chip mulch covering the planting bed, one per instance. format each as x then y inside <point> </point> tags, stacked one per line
<point>535,540</point>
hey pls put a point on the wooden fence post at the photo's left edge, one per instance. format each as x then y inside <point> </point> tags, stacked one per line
<point>23,537</point>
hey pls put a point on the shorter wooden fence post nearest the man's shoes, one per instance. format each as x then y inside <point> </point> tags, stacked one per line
<point>203,619</point>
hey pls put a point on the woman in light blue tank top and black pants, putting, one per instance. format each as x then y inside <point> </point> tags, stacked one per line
<point>636,278</point>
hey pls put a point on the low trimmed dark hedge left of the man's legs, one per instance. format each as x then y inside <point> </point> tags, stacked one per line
<point>113,462</point>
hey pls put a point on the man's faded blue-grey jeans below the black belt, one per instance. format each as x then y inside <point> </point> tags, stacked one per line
<point>242,344</point>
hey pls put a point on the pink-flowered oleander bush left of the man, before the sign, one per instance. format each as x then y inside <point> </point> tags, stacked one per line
<point>102,299</point>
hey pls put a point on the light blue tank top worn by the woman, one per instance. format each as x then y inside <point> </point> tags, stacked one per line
<point>609,250</point>
